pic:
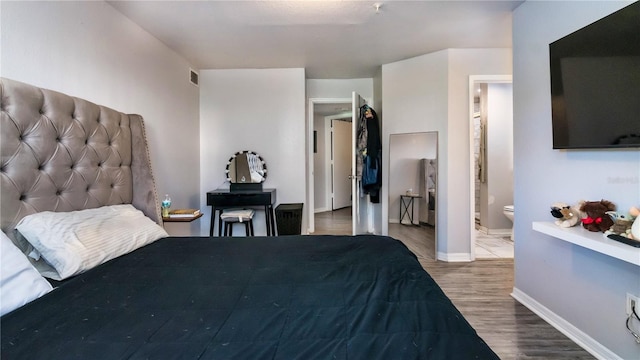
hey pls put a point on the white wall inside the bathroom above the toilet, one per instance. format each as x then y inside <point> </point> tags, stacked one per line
<point>499,154</point>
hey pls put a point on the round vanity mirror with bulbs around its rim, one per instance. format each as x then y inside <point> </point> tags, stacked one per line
<point>246,167</point>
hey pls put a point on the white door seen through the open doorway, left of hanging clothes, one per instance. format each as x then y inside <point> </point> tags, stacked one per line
<point>341,134</point>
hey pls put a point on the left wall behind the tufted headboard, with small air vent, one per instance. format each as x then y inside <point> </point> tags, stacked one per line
<point>91,51</point>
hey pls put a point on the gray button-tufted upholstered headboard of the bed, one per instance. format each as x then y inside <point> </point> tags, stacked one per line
<point>61,153</point>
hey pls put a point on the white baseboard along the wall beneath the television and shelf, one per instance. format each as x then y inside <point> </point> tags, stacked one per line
<point>578,336</point>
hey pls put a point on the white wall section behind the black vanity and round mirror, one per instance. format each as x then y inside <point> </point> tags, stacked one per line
<point>258,110</point>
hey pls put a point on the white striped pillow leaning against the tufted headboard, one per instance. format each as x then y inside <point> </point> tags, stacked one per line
<point>76,241</point>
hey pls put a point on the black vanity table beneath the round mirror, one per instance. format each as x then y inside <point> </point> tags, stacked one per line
<point>221,199</point>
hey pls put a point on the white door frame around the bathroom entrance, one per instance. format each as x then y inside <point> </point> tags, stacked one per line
<point>472,199</point>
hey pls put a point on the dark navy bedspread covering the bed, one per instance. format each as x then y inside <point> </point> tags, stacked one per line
<point>286,297</point>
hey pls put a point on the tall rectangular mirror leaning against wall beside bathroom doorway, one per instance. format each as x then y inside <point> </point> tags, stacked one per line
<point>413,167</point>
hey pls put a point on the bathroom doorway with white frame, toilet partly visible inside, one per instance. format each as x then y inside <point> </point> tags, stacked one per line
<point>491,145</point>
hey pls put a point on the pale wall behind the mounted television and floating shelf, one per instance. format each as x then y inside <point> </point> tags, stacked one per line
<point>583,290</point>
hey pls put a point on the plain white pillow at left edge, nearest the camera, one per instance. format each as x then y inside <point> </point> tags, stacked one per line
<point>20,283</point>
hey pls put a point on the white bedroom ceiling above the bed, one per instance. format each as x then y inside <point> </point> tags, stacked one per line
<point>330,39</point>
